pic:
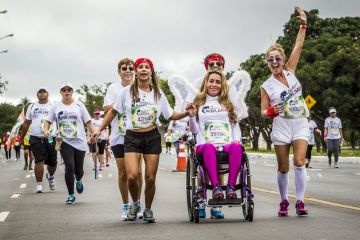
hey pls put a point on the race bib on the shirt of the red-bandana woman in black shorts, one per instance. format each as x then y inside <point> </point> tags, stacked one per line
<point>143,116</point>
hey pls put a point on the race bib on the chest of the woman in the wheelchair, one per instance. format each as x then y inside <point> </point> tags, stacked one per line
<point>217,132</point>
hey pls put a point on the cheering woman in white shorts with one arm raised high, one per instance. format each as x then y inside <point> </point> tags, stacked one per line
<point>282,100</point>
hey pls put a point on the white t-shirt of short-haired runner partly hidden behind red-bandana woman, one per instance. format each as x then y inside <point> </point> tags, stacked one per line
<point>117,134</point>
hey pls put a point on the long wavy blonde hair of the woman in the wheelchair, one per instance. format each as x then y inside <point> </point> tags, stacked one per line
<point>223,96</point>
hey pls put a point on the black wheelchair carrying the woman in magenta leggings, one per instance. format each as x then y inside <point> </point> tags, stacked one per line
<point>194,168</point>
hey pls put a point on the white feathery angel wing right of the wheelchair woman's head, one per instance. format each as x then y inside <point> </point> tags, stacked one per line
<point>241,82</point>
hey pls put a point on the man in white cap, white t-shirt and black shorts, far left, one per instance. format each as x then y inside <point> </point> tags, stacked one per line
<point>42,148</point>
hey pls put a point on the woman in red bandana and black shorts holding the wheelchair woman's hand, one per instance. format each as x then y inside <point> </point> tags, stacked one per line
<point>142,103</point>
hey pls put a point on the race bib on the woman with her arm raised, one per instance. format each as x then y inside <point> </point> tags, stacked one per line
<point>295,107</point>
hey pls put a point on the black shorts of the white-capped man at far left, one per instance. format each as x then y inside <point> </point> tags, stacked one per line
<point>43,151</point>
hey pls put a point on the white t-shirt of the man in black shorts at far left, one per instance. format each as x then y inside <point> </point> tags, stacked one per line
<point>37,114</point>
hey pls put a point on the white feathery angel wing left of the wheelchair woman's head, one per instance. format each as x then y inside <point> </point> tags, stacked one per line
<point>180,88</point>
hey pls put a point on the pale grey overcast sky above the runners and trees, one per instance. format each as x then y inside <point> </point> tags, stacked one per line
<point>81,41</point>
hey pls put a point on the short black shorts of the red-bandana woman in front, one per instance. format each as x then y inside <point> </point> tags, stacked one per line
<point>144,142</point>
